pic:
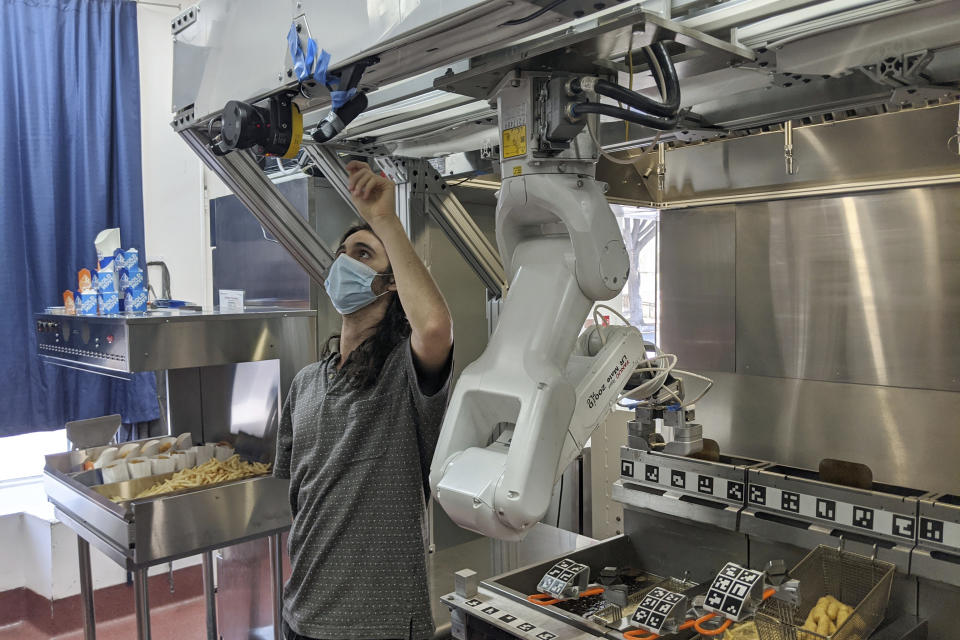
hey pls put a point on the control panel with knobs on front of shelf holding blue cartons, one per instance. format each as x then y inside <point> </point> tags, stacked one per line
<point>93,342</point>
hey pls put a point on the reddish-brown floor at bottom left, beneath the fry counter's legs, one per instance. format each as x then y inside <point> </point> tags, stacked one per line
<point>181,621</point>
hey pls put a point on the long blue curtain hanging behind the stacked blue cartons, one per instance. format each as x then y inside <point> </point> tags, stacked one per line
<point>69,167</point>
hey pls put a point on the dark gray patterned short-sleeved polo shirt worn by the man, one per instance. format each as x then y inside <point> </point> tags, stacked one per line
<point>358,464</point>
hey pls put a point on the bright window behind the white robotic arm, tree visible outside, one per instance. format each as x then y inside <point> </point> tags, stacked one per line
<point>639,301</point>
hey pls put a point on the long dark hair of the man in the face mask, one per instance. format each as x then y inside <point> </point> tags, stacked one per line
<point>365,362</point>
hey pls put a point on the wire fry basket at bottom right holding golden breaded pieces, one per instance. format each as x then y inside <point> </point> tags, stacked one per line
<point>855,580</point>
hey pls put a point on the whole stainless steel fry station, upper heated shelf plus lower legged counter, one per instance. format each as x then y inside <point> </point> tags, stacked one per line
<point>225,377</point>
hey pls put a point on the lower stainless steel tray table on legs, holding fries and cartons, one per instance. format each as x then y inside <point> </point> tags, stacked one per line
<point>140,533</point>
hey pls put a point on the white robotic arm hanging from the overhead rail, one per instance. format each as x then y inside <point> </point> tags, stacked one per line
<point>563,251</point>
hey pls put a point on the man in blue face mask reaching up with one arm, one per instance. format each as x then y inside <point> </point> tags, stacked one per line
<point>357,435</point>
